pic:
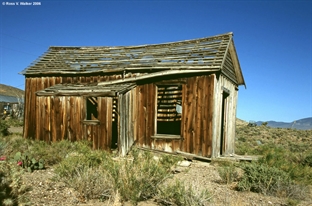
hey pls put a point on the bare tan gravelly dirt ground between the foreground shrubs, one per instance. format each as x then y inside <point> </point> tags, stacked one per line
<point>44,191</point>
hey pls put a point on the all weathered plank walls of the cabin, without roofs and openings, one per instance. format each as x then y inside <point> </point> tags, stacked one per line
<point>54,118</point>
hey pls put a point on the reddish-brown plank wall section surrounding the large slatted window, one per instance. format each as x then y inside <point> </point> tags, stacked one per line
<point>196,124</point>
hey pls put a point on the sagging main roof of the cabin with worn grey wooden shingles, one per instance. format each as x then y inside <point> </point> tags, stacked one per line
<point>198,54</point>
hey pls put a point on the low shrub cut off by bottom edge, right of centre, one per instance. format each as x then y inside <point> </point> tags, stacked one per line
<point>178,193</point>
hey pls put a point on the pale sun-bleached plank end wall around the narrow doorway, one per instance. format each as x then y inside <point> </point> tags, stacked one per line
<point>231,116</point>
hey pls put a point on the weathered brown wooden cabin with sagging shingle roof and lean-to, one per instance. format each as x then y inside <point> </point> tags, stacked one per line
<point>174,97</point>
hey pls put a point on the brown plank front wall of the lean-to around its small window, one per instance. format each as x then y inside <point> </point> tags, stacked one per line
<point>63,118</point>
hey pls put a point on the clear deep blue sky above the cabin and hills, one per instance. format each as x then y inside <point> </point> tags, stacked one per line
<point>273,40</point>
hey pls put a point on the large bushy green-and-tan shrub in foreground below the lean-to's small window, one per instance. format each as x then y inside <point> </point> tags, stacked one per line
<point>86,171</point>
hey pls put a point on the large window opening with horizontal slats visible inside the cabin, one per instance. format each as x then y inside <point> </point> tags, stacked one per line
<point>169,109</point>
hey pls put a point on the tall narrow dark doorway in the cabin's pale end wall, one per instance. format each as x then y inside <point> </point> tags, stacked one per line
<point>223,133</point>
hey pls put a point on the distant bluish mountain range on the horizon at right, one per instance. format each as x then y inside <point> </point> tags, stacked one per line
<point>302,124</point>
